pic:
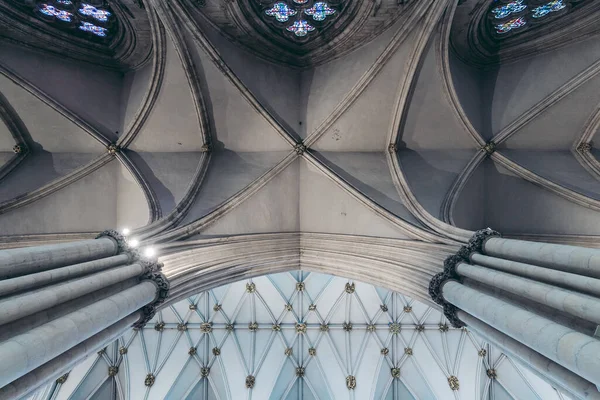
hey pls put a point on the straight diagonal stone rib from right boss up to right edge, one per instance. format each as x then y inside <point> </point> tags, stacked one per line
<point>547,102</point>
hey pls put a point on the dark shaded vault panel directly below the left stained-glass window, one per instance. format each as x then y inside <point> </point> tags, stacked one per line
<point>89,91</point>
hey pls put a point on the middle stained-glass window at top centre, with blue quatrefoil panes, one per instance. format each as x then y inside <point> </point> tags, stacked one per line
<point>300,17</point>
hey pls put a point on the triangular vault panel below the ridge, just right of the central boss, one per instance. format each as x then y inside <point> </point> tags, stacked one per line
<point>369,173</point>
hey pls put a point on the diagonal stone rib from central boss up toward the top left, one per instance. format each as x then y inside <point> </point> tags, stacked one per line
<point>201,40</point>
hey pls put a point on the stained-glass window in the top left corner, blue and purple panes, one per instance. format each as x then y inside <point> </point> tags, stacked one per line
<point>92,18</point>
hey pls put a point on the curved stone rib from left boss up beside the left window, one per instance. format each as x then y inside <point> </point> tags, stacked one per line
<point>159,59</point>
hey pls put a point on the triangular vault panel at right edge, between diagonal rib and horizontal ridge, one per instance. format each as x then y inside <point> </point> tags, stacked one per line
<point>560,125</point>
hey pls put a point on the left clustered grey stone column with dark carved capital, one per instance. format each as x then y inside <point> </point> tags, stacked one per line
<point>71,298</point>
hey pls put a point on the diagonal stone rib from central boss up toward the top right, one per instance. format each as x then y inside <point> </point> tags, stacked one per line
<point>370,74</point>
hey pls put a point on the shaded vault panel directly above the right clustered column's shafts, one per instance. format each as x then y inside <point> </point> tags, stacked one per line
<point>533,208</point>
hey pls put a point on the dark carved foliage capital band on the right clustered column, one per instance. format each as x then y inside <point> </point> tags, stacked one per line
<point>475,245</point>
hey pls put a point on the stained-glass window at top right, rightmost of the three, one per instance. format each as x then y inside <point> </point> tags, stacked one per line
<point>508,17</point>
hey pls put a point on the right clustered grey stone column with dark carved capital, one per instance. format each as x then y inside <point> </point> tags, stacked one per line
<point>524,292</point>
